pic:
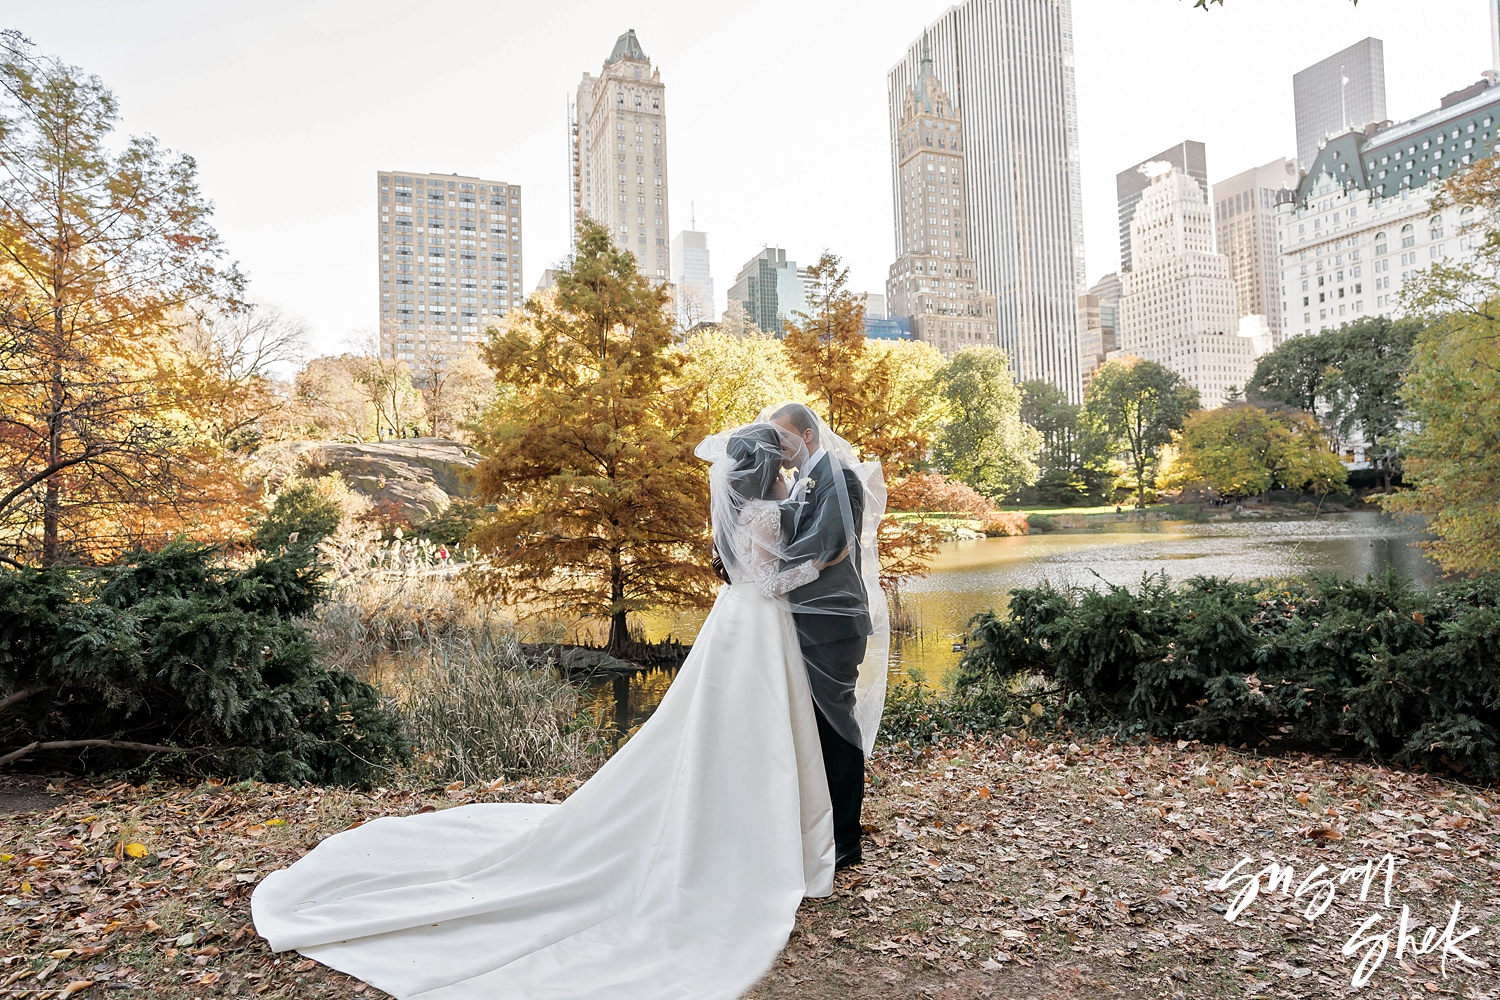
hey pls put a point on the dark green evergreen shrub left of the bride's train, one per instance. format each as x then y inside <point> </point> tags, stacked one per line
<point>175,648</point>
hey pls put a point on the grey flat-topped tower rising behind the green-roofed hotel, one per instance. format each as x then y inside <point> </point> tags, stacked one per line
<point>1346,91</point>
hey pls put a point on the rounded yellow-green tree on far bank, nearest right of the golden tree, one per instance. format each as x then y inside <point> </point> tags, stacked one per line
<point>985,443</point>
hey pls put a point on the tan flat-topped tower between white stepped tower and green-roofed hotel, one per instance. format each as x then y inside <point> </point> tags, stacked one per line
<point>1246,229</point>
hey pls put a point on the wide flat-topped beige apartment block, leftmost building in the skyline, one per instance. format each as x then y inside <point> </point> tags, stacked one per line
<point>449,263</point>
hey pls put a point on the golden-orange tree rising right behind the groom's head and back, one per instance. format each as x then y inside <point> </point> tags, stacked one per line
<point>878,398</point>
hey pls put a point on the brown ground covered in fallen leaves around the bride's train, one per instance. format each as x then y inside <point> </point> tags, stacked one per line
<point>1007,869</point>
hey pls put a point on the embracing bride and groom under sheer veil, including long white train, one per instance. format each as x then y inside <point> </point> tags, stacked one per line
<point>677,870</point>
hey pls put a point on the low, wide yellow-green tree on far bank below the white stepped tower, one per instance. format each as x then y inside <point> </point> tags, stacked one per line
<point>1240,451</point>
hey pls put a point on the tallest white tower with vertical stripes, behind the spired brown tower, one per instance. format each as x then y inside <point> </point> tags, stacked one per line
<point>1009,68</point>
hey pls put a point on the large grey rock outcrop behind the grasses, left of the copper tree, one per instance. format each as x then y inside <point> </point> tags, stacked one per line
<point>416,476</point>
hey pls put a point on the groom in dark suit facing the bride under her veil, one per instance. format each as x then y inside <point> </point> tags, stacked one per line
<point>832,615</point>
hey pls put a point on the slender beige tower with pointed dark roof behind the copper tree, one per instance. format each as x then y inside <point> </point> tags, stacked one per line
<point>619,163</point>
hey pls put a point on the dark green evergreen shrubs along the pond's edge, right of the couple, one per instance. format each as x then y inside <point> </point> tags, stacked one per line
<point>1372,666</point>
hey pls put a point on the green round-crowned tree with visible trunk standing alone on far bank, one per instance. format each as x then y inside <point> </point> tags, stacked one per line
<point>1136,407</point>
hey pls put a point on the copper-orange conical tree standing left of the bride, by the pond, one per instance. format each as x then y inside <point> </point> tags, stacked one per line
<point>602,506</point>
